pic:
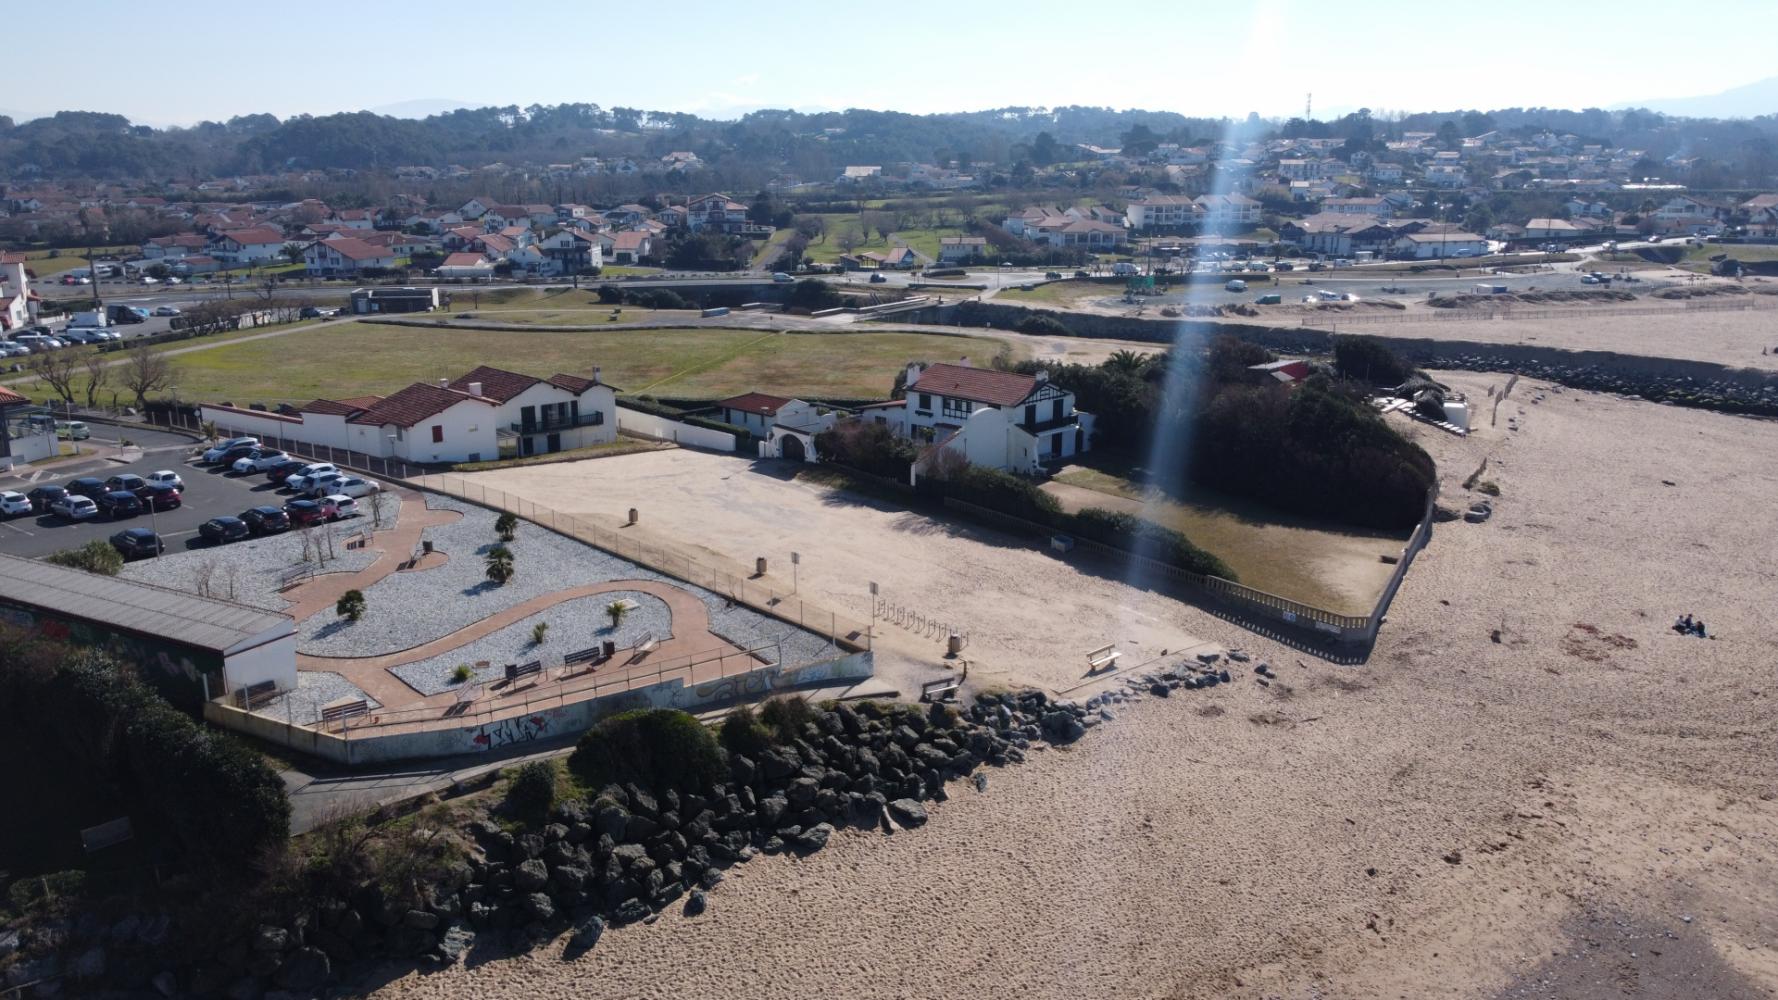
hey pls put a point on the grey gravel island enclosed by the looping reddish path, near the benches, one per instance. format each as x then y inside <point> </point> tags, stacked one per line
<point>573,625</point>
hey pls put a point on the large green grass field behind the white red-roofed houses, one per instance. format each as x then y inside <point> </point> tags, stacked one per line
<point>685,362</point>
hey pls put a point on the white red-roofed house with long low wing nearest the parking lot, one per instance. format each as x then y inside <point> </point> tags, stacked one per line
<point>476,417</point>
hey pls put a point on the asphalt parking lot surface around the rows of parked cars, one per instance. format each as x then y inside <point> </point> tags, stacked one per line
<point>209,494</point>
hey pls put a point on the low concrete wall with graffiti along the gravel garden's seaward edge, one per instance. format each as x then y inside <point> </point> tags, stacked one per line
<point>550,723</point>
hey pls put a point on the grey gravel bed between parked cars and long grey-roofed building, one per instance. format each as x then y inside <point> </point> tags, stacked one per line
<point>257,563</point>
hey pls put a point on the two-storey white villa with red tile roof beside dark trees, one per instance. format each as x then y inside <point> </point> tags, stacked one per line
<point>993,419</point>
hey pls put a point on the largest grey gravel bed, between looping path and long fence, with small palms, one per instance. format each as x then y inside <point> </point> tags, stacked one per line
<point>417,608</point>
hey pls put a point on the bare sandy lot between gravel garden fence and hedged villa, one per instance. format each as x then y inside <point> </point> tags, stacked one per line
<point>1029,617</point>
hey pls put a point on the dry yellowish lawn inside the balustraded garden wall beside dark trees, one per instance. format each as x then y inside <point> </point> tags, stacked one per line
<point>1288,556</point>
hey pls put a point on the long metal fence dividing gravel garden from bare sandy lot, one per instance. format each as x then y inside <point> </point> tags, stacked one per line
<point>629,544</point>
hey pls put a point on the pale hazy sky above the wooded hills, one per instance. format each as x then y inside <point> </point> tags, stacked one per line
<point>211,61</point>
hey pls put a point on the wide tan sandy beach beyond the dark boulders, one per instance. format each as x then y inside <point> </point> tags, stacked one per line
<point>1455,819</point>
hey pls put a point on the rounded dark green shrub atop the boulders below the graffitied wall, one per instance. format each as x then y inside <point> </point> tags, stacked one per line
<point>657,748</point>
